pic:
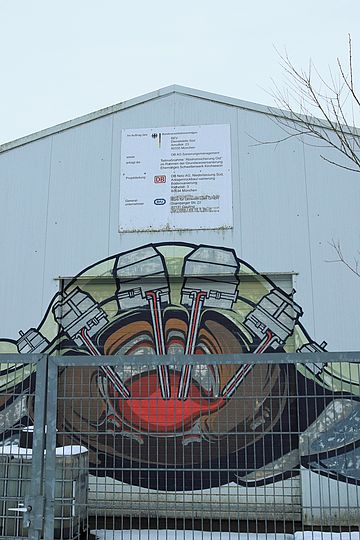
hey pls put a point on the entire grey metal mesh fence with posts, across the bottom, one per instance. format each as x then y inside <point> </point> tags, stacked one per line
<point>277,454</point>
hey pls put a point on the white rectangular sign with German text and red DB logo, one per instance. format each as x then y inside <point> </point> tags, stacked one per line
<point>175,178</point>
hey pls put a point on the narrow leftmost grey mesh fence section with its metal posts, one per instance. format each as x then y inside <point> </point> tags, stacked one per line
<point>22,408</point>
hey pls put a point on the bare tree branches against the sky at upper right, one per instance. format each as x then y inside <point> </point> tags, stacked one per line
<point>323,107</point>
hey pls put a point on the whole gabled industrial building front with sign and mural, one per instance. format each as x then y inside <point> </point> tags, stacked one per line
<point>162,227</point>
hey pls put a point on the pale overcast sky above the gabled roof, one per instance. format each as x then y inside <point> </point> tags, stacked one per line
<point>63,59</point>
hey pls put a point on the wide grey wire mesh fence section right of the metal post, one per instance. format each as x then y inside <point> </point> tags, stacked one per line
<point>278,454</point>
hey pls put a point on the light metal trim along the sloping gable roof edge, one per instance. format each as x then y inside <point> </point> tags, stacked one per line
<point>162,92</point>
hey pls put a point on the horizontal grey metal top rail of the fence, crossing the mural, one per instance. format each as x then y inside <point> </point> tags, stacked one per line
<point>180,359</point>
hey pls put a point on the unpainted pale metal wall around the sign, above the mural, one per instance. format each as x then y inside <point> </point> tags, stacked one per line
<point>60,200</point>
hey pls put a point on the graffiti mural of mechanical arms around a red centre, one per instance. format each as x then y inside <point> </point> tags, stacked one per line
<point>183,427</point>
